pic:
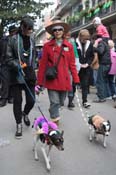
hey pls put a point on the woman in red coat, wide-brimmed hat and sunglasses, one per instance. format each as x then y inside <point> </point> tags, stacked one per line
<point>58,87</point>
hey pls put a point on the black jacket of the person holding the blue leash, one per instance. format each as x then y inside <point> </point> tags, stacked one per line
<point>13,56</point>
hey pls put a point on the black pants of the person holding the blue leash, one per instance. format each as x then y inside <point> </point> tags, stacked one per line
<point>17,100</point>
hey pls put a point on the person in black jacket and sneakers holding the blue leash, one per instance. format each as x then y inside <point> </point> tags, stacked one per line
<point>20,59</point>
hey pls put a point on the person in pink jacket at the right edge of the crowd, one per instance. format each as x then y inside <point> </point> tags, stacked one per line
<point>112,72</point>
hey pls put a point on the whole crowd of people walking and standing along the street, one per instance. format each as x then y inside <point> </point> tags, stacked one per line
<point>64,64</point>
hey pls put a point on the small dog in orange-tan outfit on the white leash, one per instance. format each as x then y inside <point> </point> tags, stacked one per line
<point>98,125</point>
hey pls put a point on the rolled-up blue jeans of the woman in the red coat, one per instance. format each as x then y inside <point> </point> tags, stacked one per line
<point>56,101</point>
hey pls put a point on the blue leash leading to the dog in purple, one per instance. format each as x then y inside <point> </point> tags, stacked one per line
<point>21,75</point>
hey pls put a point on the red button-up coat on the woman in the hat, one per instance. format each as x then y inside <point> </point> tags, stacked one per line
<point>66,65</point>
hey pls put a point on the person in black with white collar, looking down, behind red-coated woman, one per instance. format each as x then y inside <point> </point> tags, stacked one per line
<point>86,55</point>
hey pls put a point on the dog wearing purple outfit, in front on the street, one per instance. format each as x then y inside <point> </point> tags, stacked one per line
<point>47,132</point>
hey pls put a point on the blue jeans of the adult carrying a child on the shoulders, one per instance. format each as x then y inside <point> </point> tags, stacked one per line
<point>102,80</point>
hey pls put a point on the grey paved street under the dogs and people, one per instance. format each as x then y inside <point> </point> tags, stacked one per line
<point>80,157</point>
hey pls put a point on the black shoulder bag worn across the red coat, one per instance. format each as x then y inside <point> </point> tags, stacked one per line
<point>51,71</point>
